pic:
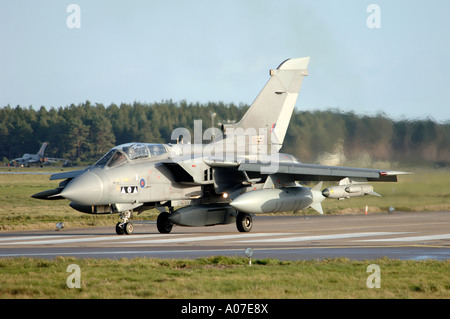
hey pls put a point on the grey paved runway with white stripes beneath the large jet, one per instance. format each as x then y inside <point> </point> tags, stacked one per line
<point>404,236</point>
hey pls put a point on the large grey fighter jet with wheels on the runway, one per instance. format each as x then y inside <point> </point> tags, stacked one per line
<point>238,174</point>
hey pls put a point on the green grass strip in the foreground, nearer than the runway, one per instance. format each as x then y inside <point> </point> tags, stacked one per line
<point>227,277</point>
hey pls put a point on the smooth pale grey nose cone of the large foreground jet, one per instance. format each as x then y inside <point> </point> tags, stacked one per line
<point>86,189</point>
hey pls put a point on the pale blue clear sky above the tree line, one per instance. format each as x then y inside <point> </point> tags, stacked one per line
<point>391,58</point>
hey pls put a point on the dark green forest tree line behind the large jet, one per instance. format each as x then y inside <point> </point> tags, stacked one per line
<point>83,133</point>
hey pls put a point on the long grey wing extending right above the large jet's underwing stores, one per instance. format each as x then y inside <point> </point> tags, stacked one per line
<point>314,172</point>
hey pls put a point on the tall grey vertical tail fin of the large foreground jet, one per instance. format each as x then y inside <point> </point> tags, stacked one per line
<point>267,119</point>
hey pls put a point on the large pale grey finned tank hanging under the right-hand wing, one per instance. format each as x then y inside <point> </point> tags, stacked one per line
<point>279,200</point>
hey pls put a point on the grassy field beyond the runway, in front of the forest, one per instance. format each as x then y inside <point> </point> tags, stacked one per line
<point>425,190</point>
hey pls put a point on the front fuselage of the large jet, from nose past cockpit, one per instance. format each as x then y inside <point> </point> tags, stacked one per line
<point>129,174</point>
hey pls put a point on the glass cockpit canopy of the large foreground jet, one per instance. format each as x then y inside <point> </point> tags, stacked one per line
<point>130,152</point>
